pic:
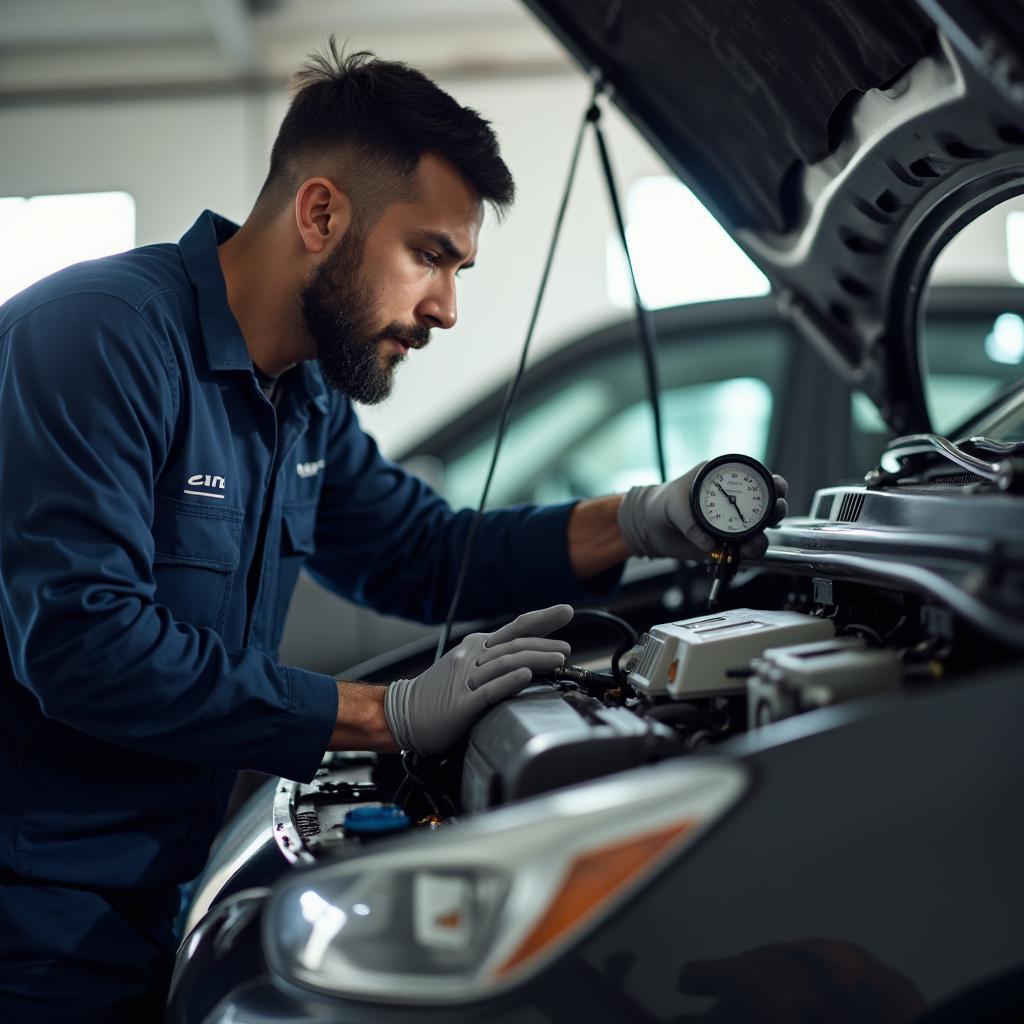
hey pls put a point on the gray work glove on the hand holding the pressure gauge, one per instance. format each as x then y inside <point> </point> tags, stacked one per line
<point>657,521</point>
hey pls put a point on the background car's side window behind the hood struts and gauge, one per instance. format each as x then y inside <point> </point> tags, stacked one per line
<point>588,432</point>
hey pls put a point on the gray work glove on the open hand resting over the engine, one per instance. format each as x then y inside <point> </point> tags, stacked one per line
<point>431,713</point>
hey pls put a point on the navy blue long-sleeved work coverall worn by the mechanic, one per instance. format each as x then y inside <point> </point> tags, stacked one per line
<point>142,470</point>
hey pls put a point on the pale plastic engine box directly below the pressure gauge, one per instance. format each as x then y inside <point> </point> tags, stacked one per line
<point>694,658</point>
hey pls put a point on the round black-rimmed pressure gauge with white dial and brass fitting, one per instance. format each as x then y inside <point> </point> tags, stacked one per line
<point>734,498</point>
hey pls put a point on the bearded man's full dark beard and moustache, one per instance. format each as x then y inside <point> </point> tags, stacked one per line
<point>339,312</point>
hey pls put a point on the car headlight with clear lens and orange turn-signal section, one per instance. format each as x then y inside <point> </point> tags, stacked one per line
<point>457,915</point>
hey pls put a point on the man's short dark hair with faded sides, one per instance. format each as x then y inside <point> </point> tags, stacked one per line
<point>366,124</point>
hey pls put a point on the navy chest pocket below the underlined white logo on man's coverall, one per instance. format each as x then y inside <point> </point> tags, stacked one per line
<point>196,560</point>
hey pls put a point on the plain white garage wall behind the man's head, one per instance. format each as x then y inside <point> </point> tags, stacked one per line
<point>178,156</point>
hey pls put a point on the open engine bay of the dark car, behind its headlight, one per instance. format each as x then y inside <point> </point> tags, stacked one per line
<point>831,616</point>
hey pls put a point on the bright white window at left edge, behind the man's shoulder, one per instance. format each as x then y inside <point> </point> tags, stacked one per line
<point>44,234</point>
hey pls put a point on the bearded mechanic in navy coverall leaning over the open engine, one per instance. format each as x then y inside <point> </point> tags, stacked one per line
<point>177,440</point>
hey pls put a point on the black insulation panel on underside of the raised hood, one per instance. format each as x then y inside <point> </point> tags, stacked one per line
<point>740,95</point>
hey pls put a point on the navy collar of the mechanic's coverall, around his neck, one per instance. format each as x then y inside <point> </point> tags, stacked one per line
<point>226,348</point>
